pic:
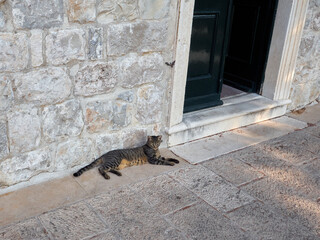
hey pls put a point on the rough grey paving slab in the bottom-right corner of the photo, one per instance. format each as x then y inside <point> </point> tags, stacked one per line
<point>262,222</point>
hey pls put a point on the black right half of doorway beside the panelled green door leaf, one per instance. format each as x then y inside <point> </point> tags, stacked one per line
<point>249,41</point>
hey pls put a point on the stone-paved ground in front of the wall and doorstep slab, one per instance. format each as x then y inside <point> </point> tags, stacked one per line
<point>267,191</point>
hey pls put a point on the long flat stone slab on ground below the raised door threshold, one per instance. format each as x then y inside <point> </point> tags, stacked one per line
<point>211,147</point>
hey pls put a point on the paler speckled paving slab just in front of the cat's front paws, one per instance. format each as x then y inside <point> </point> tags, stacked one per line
<point>212,188</point>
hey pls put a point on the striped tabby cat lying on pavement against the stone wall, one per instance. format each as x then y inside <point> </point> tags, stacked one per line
<point>116,160</point>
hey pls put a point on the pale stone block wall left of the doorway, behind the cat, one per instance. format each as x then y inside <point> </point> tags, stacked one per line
<point>78,78</point>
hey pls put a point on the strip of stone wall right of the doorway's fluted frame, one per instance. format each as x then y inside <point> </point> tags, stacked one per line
<point>306,83</point>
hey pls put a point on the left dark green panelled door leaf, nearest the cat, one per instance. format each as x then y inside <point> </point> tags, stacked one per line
<point>207,51</point>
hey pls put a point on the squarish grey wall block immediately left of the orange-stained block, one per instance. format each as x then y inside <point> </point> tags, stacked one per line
<point>62,120</point>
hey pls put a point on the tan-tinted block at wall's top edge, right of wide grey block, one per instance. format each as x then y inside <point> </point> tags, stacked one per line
<point>82,11</point>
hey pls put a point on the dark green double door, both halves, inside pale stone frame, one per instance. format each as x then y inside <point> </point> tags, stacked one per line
<point>229,45</point>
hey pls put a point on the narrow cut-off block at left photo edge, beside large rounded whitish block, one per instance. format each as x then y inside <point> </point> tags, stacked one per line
<point>6,93</point>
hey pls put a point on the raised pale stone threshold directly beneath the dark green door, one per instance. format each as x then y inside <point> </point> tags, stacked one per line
<point>237,111</point>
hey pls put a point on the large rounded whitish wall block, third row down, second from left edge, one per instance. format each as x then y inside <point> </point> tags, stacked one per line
<point>44,86</point>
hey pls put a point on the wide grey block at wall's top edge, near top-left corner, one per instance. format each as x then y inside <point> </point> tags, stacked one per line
<point>37,13</point>
